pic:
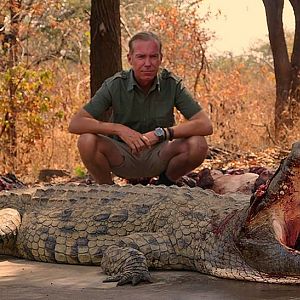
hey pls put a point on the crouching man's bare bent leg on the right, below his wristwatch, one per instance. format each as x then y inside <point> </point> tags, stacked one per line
<point>184,155</point>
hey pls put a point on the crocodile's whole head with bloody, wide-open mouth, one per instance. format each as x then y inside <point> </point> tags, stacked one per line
<point>270,238</point>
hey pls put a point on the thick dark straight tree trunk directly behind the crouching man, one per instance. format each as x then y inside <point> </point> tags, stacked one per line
<point>105,57</point>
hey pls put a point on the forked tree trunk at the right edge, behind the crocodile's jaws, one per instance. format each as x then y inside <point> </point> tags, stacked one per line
<point>286,71</point>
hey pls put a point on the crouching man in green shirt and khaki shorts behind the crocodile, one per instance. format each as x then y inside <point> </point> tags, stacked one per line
<point>141,139</point>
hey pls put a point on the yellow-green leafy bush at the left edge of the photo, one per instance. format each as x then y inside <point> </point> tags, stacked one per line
<point>30,103</point>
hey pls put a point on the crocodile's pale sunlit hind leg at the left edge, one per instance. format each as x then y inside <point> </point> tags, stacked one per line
<point>10,221</point>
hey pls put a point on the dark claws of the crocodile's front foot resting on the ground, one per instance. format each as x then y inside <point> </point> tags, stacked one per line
<point>130,277</point>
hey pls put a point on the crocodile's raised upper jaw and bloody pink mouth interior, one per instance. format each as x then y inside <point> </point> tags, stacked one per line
<point>282,201</point>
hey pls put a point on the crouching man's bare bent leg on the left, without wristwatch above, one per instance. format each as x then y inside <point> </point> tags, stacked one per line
<point>98,154</point>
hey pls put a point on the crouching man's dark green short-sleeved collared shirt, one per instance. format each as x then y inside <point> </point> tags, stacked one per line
<point>141,112</point>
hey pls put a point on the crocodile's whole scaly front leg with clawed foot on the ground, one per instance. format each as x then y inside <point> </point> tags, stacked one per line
<point>129,260</point>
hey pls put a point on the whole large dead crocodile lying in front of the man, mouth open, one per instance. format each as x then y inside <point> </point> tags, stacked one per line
<point>129,230</point>
